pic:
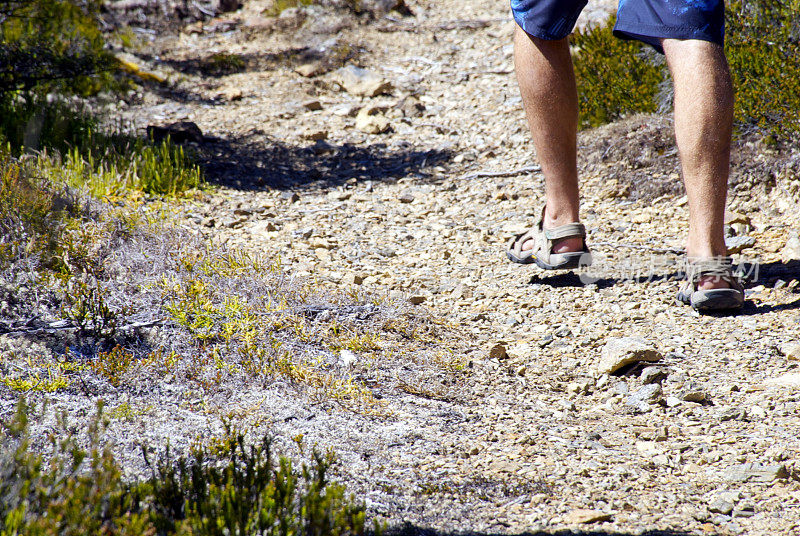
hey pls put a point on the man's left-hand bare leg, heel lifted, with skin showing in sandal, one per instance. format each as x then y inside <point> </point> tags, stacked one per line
<point>547,84</point>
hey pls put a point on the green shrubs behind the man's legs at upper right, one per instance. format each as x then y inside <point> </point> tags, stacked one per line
<point>615,78</point>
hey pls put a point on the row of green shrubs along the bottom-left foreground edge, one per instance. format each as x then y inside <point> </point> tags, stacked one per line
<point>245,491</point>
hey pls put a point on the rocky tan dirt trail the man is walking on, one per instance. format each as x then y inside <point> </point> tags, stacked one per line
<point>406,183</point>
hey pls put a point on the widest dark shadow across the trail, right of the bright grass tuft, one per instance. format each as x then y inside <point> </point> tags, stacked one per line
<point>268,163</point>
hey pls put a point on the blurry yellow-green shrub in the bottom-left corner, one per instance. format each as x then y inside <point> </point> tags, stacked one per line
<point>71,492</point>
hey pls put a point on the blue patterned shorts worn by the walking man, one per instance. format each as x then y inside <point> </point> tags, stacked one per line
<point>645,20</point>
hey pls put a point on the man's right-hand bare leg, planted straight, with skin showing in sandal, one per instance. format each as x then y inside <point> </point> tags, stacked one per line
<point>703,123</point>
